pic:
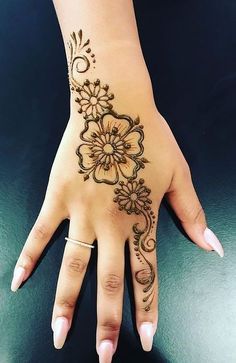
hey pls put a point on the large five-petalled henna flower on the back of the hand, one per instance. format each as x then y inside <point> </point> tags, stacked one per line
<point>112,147</point>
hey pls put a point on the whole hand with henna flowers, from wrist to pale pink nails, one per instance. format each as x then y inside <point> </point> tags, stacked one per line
<point>116,161</point>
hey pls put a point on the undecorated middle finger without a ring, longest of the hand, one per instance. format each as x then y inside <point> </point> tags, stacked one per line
<point>110,293</point>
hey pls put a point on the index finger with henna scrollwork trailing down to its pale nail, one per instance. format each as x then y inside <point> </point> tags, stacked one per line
<point>143,260</point>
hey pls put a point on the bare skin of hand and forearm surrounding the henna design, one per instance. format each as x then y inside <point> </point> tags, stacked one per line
<point>88,205</point>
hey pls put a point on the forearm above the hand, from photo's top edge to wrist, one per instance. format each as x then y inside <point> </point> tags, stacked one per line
<point>114,53</point>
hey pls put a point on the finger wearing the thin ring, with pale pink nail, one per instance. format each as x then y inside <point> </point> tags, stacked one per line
<point>74,264</point>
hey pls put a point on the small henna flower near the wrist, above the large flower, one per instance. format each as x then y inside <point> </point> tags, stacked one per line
<point>93,98</point>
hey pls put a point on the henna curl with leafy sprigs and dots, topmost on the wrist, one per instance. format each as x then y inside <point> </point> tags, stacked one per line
<point>80,58</point>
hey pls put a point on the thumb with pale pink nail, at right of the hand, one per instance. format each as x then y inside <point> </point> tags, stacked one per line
<point>182,197</point>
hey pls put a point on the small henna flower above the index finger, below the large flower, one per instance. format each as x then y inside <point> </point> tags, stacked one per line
<point>133,196</point>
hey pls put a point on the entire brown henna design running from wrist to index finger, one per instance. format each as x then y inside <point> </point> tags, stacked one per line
<point>112,150</point>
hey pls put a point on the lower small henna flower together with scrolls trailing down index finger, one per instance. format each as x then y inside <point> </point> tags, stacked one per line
<point>132,197</point>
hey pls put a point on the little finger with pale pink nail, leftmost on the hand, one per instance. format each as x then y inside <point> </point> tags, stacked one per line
<point>49,218</point>
